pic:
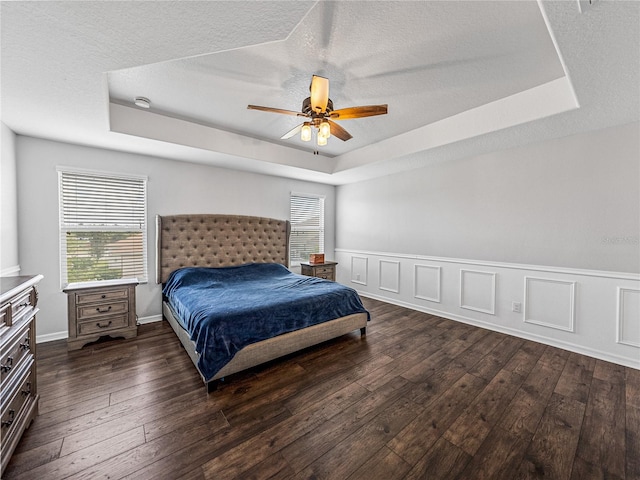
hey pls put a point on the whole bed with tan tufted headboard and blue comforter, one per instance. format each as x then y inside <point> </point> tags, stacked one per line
<point>193,247</point>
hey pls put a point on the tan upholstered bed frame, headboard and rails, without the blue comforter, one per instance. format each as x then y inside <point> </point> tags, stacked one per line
<point>207,240</point>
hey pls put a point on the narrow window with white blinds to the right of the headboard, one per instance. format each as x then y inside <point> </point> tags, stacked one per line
<point>307,227</point>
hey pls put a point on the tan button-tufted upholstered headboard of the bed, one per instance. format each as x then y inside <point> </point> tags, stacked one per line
<point>207,240</point>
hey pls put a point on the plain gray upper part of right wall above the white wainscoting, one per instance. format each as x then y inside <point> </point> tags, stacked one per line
<point>570,202</point>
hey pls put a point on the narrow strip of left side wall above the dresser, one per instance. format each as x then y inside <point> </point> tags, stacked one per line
<point>9,262</point>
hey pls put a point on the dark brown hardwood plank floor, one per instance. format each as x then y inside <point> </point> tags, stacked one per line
<point>418,397</point>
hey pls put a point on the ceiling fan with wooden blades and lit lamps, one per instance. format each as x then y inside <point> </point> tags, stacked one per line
<point>318,109</point>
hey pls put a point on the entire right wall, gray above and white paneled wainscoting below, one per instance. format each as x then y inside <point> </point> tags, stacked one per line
<point>553,226</point>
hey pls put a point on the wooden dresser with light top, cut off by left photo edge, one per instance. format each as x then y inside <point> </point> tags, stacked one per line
<point>19,396</point>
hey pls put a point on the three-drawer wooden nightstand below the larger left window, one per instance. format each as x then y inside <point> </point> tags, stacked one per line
<point>101,308</point>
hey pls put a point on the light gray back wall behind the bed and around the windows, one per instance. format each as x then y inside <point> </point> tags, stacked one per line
<point>173,188</point>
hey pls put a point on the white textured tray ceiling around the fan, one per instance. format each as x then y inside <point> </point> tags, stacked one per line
<point>460,78</point>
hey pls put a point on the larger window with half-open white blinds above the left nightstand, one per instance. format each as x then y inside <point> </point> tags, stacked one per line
<point>103,231</point>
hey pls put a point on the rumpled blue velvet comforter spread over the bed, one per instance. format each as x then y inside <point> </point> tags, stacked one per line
<point>226,309</point>
